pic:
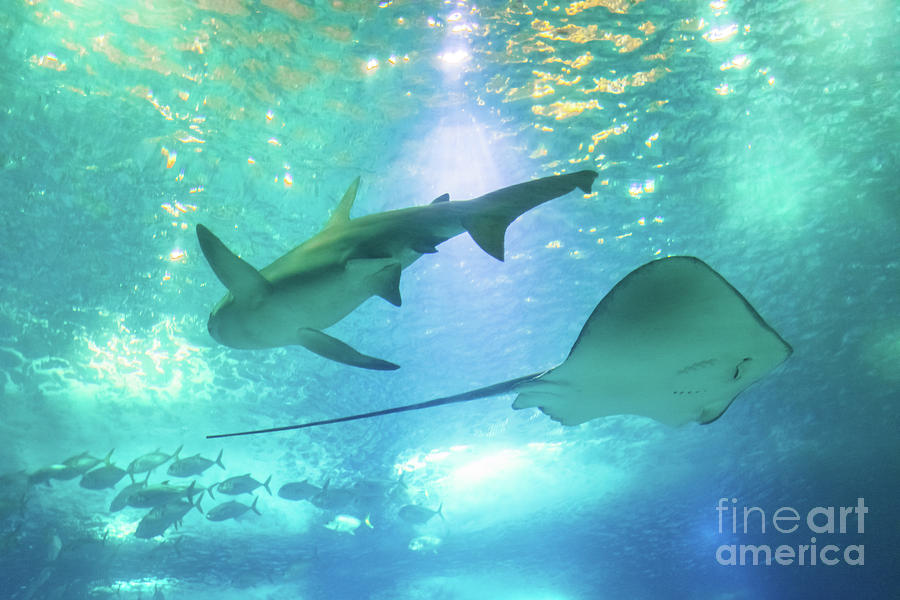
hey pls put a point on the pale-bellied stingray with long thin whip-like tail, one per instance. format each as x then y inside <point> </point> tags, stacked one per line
<point>673,341</point>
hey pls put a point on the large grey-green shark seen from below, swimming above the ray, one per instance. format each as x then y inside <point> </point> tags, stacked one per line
<point>328,276</point>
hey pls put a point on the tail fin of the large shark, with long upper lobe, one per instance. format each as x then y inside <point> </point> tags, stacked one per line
<point>490,215</point>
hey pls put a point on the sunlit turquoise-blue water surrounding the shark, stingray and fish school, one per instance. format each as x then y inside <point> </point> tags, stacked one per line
<point>758,136</point>
